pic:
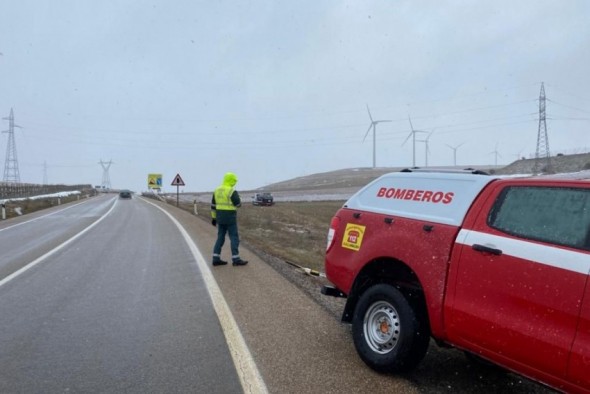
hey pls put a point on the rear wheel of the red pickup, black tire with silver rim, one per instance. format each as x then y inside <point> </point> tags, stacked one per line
<point>387,333</point>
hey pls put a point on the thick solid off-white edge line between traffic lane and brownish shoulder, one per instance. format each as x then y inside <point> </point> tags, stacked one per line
<point>246,368</point>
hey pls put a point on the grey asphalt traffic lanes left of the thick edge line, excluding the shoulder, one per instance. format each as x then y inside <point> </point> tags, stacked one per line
<point>123,308</point>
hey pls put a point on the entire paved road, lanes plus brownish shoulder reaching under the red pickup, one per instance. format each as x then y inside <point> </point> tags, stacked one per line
<point>127,307</point>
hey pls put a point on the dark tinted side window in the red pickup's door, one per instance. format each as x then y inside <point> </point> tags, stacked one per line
<point>550,214</point>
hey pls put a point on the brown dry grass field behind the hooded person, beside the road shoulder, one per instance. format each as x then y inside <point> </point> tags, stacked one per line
<point>292,231</point>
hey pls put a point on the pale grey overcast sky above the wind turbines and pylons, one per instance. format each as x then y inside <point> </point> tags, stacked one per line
<point>273,90</point>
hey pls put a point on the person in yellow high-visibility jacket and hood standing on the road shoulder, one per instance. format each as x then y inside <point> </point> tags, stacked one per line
<point>224,206</point>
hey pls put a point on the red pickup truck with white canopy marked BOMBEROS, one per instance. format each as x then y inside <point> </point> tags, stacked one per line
<point>494,266</point>
